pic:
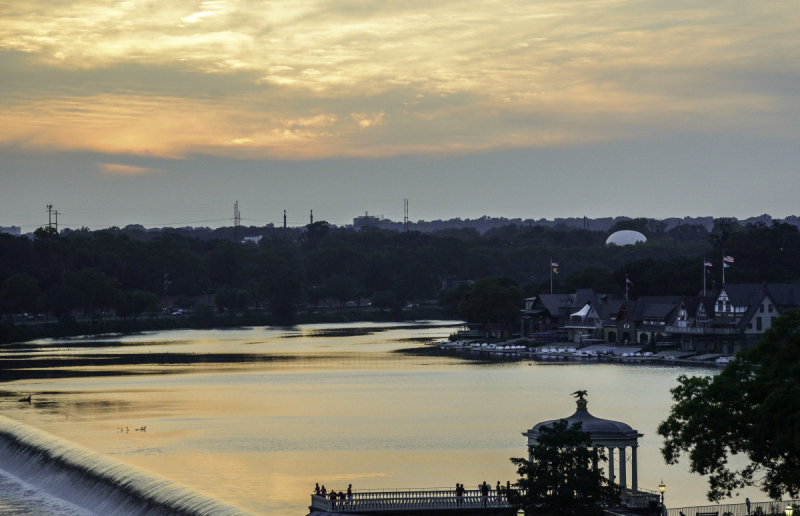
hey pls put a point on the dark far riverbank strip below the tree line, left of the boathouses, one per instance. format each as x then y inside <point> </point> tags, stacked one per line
<point>16,333</point>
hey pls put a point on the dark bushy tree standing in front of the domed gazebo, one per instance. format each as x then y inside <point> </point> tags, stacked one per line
<point>562,480</point>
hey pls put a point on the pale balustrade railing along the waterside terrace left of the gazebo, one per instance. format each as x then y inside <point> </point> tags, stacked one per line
<point>409,501</point>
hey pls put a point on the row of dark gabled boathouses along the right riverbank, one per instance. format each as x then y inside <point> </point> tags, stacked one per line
<point>723,322</point>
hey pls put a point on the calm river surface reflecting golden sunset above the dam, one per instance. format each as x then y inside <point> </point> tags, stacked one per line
<point>255,417</point>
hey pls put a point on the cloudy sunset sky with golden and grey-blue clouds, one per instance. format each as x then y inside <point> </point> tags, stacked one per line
<point>166,113</point>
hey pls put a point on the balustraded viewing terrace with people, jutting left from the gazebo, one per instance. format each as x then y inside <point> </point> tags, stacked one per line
<point>439,502</point>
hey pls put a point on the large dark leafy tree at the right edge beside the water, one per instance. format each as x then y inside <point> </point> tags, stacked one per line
<point>750,409</point>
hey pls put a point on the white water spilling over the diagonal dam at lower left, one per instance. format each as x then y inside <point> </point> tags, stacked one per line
<point>90,481</point>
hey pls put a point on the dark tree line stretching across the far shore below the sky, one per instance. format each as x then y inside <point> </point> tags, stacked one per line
<point>129,272</point>
